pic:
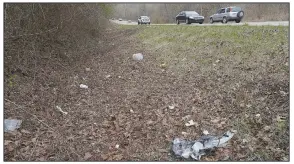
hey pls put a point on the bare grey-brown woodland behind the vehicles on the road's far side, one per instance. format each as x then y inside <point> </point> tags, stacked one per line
<point>166,13</point>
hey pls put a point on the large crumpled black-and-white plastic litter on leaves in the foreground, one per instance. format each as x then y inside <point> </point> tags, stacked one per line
<point>198,148</point>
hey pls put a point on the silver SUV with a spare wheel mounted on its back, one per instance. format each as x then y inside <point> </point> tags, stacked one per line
<point>228,14</point>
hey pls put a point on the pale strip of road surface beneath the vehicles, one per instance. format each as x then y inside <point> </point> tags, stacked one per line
<point>271,23</point>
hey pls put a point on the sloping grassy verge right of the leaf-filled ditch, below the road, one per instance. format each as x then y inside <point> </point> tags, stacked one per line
<point>242,73</point>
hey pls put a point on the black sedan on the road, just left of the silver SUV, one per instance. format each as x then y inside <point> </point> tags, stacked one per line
<point>189,17</point>
